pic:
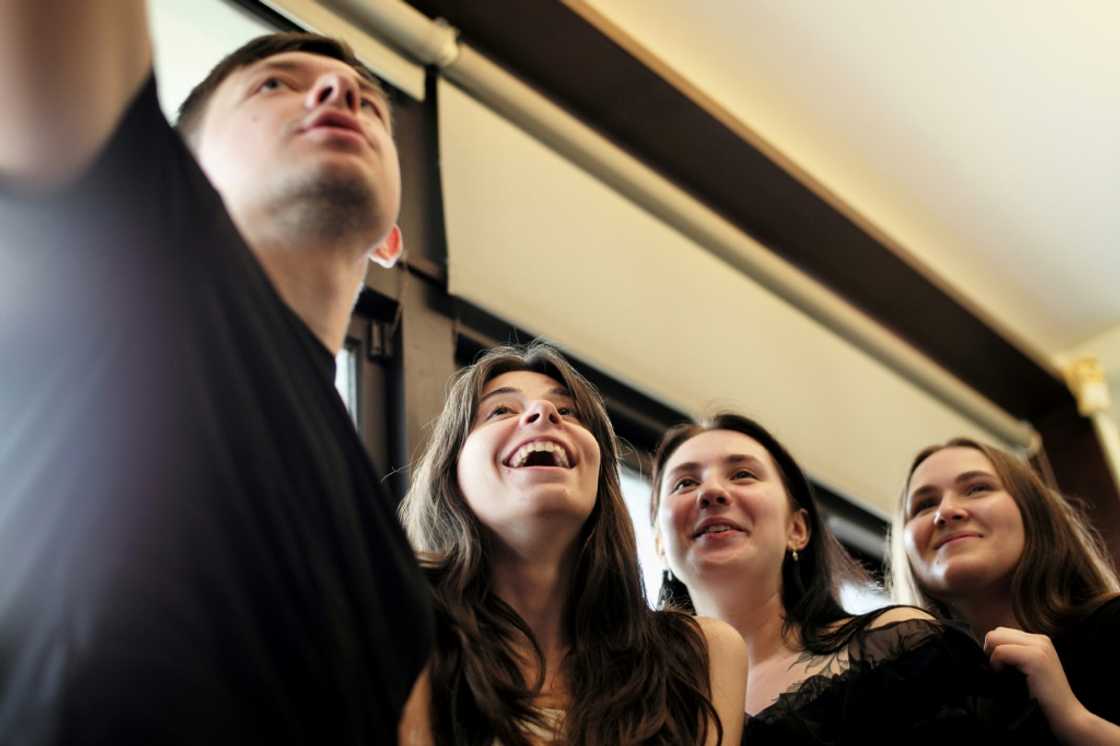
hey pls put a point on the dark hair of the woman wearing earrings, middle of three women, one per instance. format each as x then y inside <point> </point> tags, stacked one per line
<point>811,585</point>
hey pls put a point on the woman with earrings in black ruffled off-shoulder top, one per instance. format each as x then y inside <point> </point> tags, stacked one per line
<point>744,540</point>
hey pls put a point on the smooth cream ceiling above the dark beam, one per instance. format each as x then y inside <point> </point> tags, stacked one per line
<point>981,136</point>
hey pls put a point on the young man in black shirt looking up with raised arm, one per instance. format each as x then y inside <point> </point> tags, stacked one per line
<point>194,547</point>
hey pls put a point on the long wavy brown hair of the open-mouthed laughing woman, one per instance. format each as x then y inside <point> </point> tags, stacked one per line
<point>636,676</point>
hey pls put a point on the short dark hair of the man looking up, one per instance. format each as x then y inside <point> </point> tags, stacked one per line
<point>194,107</point>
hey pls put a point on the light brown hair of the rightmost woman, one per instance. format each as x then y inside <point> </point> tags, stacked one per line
<point>1065,572</point>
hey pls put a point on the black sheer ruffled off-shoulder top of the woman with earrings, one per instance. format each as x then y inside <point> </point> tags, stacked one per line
<point>912,683</point>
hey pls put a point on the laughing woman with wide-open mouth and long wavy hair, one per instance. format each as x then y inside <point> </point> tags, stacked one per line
<point>544,632</point>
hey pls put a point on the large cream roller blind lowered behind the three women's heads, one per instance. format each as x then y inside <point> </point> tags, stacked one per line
<point>542,244</point>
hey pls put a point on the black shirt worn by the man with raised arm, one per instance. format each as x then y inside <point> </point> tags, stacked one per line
<point>194,546</point>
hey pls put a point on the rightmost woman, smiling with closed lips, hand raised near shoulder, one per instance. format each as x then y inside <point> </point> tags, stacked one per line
<point>981,539</point>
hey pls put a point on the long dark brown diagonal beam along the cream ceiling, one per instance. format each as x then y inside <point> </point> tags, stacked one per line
<point>594,72</point>
